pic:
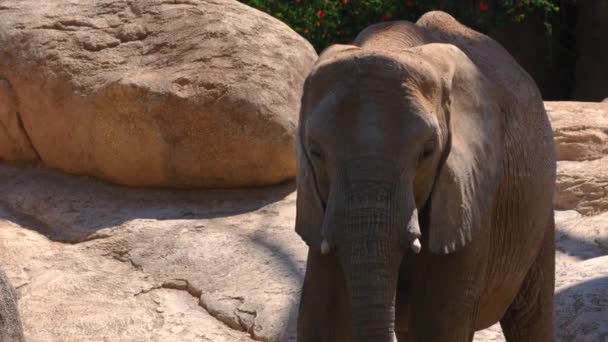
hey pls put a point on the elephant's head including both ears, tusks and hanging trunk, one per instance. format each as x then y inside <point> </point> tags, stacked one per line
<point>395,149</point>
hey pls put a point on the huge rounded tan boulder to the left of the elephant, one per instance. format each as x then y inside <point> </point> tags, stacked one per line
<point>197,93</point>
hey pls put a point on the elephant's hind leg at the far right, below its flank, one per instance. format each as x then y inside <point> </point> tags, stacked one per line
<point>530,315</point>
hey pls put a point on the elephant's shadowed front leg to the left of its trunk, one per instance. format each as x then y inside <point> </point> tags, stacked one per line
<point>324,313</point>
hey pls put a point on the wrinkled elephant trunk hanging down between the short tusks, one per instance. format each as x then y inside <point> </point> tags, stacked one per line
<point>370,255</point>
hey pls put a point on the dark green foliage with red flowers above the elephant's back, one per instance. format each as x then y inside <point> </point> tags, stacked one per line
<point>324,22</point>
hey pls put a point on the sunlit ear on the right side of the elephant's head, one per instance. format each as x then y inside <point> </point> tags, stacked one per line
<point>461,202</point>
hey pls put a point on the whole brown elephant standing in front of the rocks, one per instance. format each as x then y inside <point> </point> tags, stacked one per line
<point>425,179</point>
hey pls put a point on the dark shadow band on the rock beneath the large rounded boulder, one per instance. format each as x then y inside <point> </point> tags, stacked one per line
<point>70,209</point>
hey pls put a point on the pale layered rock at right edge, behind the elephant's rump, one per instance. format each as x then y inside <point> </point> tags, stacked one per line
<point>581,139</point>
